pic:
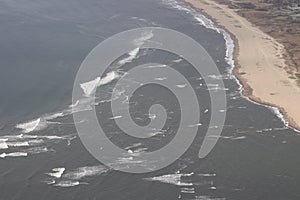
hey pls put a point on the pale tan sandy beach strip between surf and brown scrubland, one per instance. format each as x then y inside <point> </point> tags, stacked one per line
<point>260,62</point>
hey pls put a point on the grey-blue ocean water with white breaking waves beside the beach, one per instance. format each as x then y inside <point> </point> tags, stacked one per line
<point>42,45</point>
